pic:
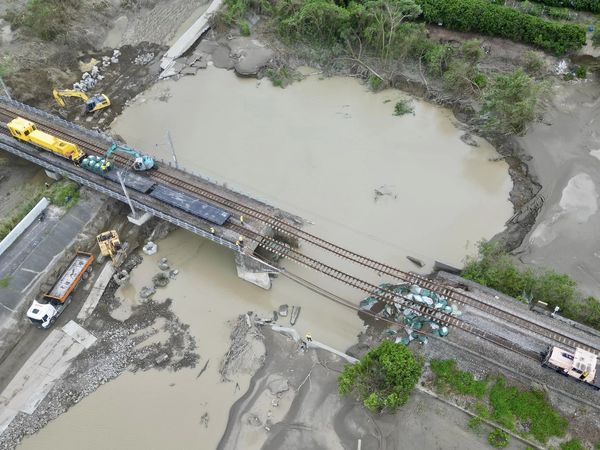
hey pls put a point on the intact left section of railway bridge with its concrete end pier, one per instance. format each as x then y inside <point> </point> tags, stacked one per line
<point>189,201</point>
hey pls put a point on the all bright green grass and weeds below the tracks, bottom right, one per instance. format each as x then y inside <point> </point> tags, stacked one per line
<point>494,399</point>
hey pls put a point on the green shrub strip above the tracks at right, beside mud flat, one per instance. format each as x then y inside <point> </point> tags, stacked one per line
<point>493,267</point>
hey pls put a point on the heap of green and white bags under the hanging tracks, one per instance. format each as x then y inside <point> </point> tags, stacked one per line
<point>404,311</point>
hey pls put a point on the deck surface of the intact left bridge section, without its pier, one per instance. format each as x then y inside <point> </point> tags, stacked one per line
<point>165,175</point>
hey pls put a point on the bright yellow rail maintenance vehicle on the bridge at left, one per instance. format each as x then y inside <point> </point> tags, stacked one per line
<point>27,131</point>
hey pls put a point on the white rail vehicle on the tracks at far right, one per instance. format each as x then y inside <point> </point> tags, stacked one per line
<point>581,365</point>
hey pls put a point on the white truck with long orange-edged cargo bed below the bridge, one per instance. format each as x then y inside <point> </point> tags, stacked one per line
<point>44,313</point>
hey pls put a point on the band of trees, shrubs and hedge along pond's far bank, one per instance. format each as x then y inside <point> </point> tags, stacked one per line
<point>388,37</point>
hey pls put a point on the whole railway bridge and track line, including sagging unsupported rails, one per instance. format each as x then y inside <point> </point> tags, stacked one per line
<point>215,212</point>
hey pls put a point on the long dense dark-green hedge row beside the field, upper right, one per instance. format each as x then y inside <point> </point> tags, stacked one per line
<point>497,20</point>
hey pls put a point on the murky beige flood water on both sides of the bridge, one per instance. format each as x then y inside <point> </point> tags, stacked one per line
<point>320,149</point>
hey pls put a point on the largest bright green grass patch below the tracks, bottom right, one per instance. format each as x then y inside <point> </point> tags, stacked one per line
<point>510,404</point>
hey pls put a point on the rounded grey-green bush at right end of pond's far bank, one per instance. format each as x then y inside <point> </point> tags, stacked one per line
<point>512,101</point>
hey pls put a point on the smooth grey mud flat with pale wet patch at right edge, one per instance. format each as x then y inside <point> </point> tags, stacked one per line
<point>566,156</point>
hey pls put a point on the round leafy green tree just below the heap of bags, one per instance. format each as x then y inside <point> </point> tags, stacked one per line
<point>383,378</point>
